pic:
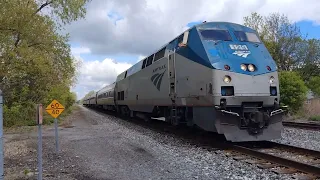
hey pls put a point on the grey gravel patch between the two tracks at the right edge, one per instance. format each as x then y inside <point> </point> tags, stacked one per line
<point>309,139</point>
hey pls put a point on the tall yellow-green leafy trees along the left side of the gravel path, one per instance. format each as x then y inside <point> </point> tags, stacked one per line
<point>36,65</point>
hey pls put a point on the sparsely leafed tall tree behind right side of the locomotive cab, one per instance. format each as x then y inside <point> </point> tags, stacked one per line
<point>282,38</point>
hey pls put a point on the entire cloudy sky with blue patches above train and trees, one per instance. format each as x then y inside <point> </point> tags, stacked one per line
<point>116,34</point>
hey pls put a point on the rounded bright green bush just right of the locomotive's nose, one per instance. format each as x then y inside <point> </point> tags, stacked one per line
<point>292,90</point>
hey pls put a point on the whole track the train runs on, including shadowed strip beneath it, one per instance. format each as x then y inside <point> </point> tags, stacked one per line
<point>279,158</point>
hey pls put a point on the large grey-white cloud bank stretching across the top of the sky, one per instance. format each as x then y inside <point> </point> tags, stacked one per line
<point>142,26</point>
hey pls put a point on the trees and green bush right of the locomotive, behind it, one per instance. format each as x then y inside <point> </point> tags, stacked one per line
<point>296,55</point>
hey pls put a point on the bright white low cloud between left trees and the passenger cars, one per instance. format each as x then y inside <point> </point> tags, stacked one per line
<point>93,75</point>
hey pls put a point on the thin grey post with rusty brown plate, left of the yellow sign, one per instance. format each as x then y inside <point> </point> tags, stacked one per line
<point>39,118</point>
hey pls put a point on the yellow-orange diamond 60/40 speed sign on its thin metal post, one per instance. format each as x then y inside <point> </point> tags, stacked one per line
<point>55,109</point>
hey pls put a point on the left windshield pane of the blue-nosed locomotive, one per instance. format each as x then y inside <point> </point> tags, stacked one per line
<point>216,35</point>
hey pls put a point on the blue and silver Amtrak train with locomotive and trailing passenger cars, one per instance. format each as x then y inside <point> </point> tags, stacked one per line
<point>218,76</point>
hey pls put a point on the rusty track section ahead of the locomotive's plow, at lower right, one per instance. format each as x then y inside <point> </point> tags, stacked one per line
<point>279,158</point>
